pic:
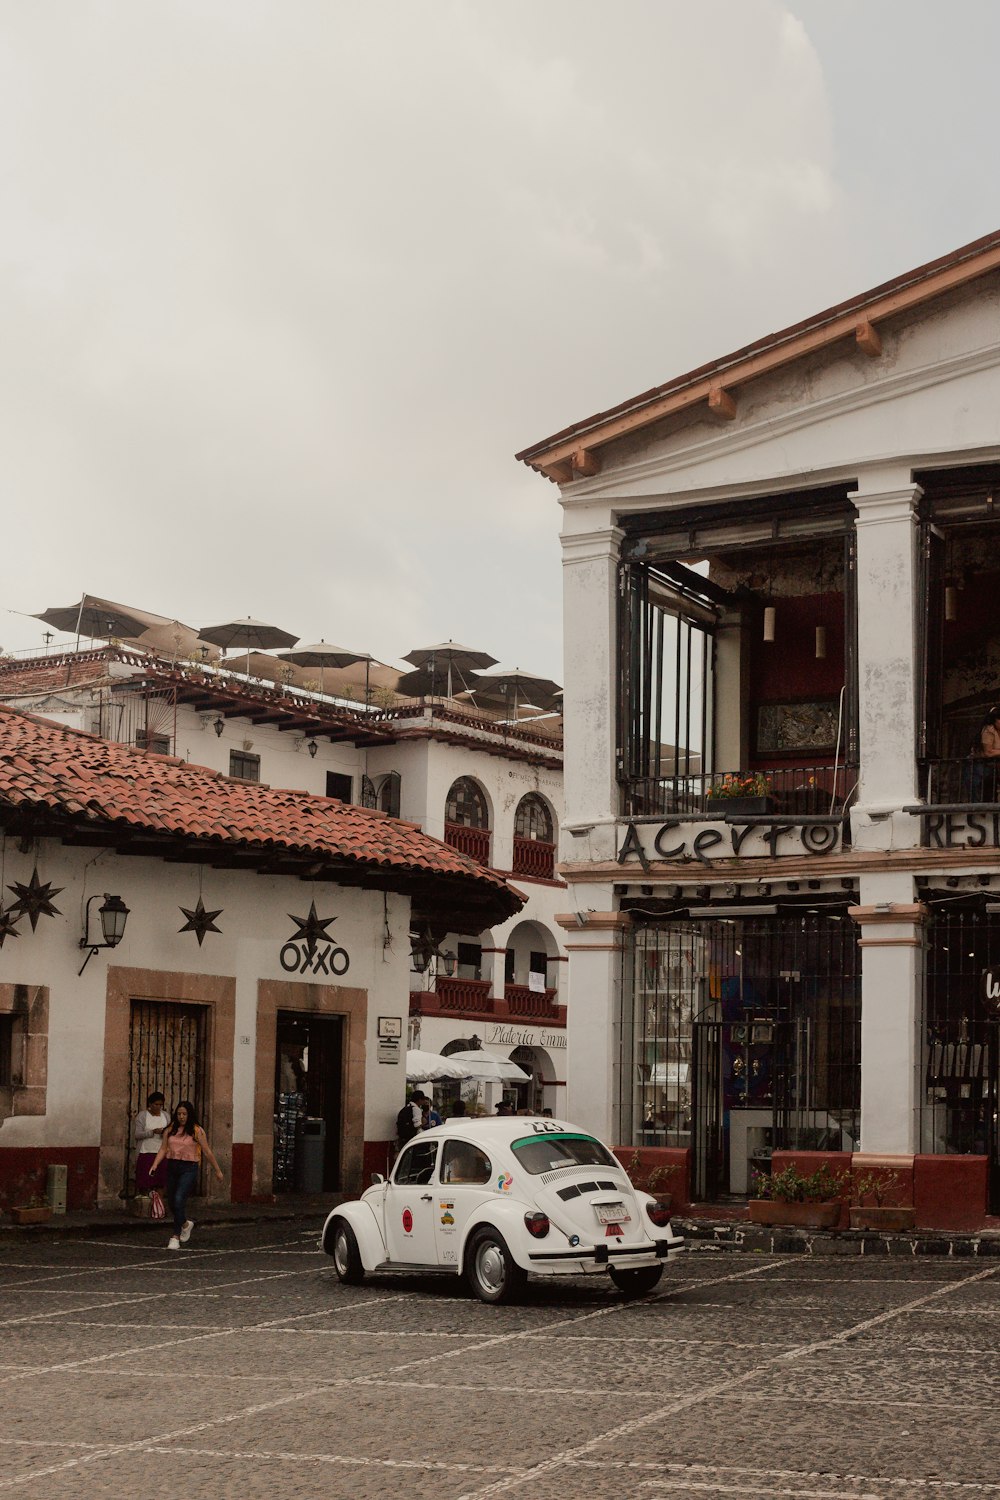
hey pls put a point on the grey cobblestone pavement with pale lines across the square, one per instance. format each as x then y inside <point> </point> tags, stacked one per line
<point>242,1369</point>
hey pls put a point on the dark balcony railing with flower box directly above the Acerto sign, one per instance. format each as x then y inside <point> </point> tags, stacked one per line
<point>792,791</point>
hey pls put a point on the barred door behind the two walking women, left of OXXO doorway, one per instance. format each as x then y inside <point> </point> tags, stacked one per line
<point>167,1052</point>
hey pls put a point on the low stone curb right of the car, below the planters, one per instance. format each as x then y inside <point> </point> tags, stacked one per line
<point>759,1240</point>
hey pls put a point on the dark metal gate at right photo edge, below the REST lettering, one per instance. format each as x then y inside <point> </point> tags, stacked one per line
<point>962,1034</point>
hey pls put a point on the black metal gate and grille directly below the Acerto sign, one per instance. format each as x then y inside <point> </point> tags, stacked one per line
<point>743,1037</point>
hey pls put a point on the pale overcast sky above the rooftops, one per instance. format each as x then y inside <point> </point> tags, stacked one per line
<point>287,283</point>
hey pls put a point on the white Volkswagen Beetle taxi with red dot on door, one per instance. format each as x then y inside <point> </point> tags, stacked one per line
<point>503,1199</point>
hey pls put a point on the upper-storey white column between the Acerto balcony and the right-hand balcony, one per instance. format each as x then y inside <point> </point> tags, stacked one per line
<point>887,644</point>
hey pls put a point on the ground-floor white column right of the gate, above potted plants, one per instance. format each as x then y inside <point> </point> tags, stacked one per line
<point>891,1015</point>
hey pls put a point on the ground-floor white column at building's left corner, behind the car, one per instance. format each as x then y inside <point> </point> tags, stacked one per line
<point>594,1037</point>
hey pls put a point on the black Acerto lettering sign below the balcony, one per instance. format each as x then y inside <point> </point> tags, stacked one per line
<point>771,838</point>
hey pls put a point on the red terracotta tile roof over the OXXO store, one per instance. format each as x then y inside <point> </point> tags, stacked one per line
<point>62,782</point>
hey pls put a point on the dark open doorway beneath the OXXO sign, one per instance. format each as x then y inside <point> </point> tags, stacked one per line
<point>308,1102</point>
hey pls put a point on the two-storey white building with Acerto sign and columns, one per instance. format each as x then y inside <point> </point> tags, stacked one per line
<point>782,814</point>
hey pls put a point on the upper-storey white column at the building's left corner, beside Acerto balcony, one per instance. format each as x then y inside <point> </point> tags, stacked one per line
<point>590,610</point>
